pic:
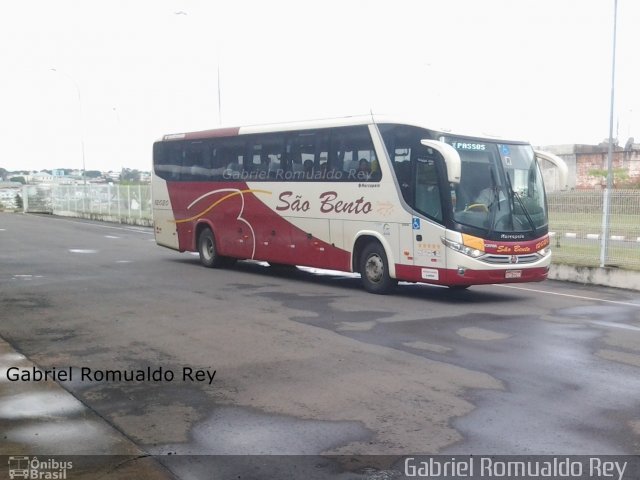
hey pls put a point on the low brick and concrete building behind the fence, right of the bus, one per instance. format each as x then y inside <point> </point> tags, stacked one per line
<point>584,160</point>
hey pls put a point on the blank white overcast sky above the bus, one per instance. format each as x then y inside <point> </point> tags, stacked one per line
<point>96,82</point>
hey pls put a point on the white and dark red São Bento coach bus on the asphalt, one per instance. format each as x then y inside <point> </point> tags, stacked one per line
<point>392,201</point>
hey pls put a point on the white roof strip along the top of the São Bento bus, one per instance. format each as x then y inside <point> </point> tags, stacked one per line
<point>327,123</point>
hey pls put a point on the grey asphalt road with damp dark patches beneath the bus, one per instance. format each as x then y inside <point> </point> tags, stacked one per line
<point>306,362</point>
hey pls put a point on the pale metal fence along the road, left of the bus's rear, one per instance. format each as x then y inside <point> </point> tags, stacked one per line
<point>118,203</point>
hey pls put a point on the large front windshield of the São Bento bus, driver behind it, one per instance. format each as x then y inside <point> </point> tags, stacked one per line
<point>501,189</point>
